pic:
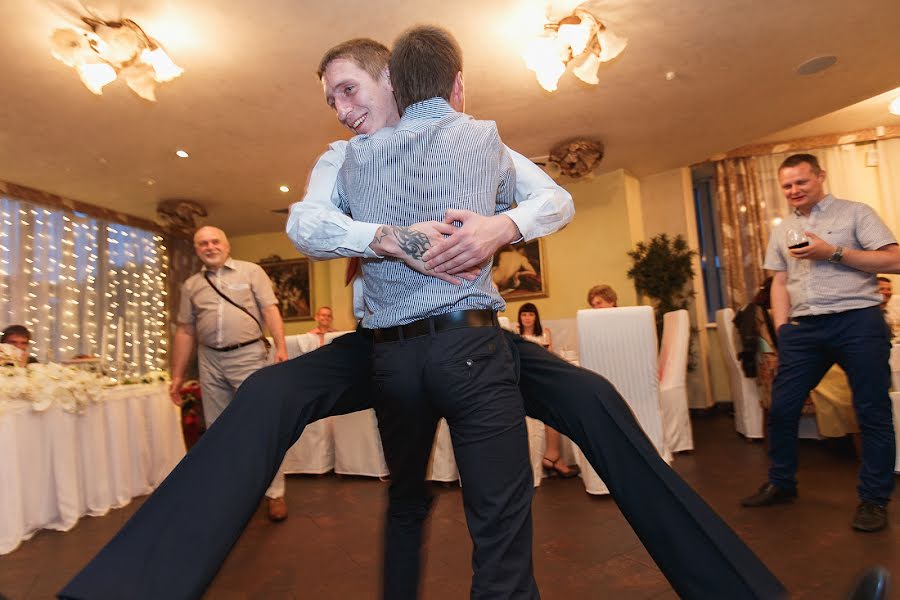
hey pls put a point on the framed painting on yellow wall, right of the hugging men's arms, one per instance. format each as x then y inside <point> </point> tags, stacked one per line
<point>518,271</point>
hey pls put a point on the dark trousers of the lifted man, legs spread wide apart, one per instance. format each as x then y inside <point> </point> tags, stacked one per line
<point>174,544</point>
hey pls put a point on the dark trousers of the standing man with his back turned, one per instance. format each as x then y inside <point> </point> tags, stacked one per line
<point>467,376</point>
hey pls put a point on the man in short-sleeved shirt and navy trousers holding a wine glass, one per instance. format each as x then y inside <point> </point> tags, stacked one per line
<point>825,306</point>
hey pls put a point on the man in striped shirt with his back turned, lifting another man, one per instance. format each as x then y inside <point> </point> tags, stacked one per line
<point>439,351</point>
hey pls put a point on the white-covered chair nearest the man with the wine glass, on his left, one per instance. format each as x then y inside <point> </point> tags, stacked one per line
<point>748,412</point>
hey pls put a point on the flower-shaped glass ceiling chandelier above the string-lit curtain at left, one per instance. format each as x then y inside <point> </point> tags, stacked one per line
<point>112,49</point>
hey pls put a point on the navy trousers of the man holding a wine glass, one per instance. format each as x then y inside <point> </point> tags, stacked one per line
<point>859,341</point>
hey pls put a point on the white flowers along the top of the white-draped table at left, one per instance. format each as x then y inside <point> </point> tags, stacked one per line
<point>71,388</point>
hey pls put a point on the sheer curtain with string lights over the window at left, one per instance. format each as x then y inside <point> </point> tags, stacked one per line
<point>83,286</point>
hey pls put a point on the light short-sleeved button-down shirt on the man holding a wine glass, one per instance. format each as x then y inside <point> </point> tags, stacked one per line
<point>819,287</point>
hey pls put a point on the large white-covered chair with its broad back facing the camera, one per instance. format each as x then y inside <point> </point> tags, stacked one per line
<point>620,345</point>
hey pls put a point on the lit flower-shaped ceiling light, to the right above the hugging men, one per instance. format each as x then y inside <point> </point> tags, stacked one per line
<point>579,39</point>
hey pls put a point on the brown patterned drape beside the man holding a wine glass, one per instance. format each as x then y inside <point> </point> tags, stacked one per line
<point>745,232</point>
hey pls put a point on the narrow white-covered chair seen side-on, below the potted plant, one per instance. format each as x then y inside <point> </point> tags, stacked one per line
<point>673,359</point>
